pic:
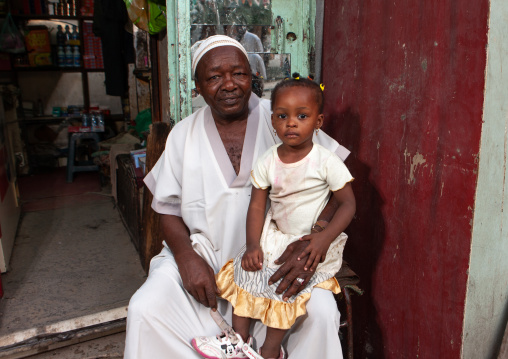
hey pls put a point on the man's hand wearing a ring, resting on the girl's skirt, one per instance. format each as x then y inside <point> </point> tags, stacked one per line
<point>292,270</point>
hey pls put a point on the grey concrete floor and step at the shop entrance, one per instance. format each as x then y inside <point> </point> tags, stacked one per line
<point>69,262</point>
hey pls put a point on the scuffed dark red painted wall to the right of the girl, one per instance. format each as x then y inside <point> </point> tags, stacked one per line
<point>404,91</point>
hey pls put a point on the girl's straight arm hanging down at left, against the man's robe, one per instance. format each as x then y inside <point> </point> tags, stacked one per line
<point>253,258</point>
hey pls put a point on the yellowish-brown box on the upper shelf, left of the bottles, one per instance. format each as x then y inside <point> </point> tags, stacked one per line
<point>38,46</point>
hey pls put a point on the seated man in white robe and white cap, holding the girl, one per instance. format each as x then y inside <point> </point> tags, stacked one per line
<point>202,188</point>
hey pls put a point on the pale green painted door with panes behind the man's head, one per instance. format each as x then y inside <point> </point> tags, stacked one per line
<point>284,30</point>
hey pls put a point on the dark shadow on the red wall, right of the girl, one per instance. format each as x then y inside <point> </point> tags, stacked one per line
<point>366,234</point>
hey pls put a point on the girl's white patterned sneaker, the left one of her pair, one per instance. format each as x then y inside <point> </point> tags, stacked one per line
<point>223,346</point>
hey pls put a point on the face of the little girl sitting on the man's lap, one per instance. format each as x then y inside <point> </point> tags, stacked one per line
<point>295,116</point>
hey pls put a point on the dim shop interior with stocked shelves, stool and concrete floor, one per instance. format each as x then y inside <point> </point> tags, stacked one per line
<point>80,86</point>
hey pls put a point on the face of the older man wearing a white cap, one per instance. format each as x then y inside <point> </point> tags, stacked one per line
<point>224,80</point>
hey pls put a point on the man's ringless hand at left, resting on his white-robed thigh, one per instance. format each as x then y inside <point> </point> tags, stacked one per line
<point>198,279</point>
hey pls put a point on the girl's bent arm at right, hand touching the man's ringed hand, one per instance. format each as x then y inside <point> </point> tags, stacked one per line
<point>320,242</point>
